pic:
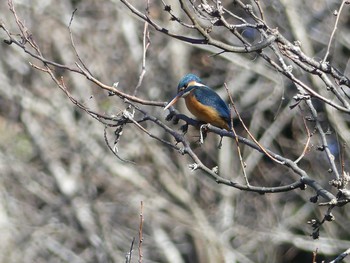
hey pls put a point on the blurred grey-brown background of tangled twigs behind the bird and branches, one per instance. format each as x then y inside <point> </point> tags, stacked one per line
<point>64,197</point>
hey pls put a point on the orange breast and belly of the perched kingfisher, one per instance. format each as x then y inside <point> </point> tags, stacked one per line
<point>204,113</point>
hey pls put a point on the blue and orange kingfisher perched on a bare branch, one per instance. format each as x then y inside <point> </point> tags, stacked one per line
<point>202,102</point>
